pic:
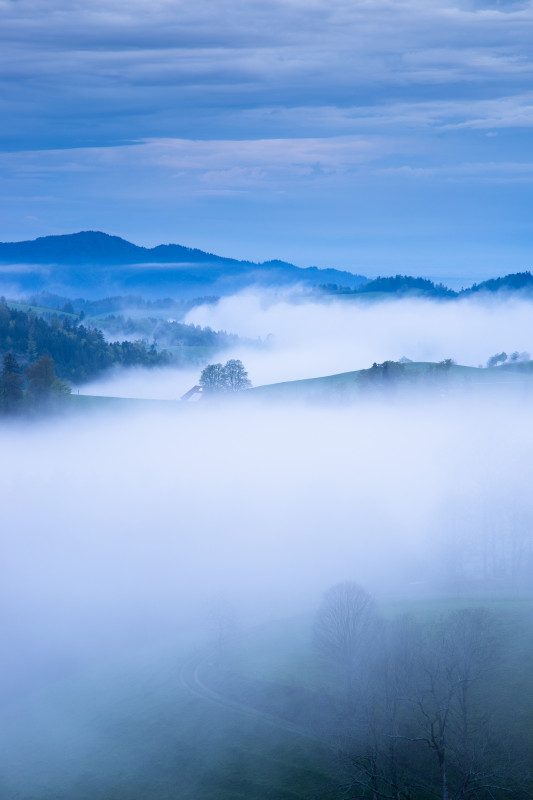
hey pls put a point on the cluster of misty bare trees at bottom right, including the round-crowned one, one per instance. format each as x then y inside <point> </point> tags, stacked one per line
<point>413,707</point>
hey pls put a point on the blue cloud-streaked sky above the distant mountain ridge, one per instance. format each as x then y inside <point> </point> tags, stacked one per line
<point>373,135</point>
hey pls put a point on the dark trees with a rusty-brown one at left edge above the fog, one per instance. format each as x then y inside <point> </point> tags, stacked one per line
<point>43,387</point>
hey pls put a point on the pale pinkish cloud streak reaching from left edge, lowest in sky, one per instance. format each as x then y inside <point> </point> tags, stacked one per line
<point>202,164</point>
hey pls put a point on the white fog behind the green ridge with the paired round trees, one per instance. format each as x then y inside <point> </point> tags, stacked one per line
<point>307,339</point>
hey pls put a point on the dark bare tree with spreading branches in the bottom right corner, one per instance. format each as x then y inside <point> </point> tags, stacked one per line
<point>453,700</point>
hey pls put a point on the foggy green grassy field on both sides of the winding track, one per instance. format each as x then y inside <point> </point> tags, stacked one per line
<point>127,729</point>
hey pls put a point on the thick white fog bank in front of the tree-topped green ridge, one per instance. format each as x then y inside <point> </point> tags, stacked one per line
<point>134,522</point>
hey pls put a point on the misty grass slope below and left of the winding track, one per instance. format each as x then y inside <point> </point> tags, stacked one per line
<point>132,732</point>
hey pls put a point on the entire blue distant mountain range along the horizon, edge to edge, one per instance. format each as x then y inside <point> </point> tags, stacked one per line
<point>94,265</point>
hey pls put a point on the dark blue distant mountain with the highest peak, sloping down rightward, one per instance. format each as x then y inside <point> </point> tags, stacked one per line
<point>95,264</point>
